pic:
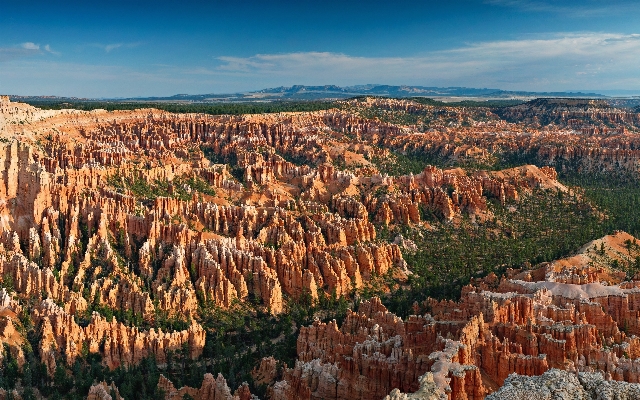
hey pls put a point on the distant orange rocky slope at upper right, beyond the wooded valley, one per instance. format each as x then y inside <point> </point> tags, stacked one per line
<point>569,134</point>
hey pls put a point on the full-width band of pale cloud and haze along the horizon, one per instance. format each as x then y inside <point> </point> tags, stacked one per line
<point>558,62</point>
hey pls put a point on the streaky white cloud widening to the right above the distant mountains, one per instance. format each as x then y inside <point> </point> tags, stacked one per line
<point>560,61</point>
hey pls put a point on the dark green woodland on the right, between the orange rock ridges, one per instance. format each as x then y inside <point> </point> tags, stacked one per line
<point>544,227</point>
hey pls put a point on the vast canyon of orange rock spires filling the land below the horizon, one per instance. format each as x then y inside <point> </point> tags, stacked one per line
<point>121,231</point>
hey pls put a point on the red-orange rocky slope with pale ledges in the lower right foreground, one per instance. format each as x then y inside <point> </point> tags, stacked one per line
<point>527,323</point>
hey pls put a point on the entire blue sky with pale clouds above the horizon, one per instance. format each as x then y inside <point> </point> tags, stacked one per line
<point>107,49</point>
